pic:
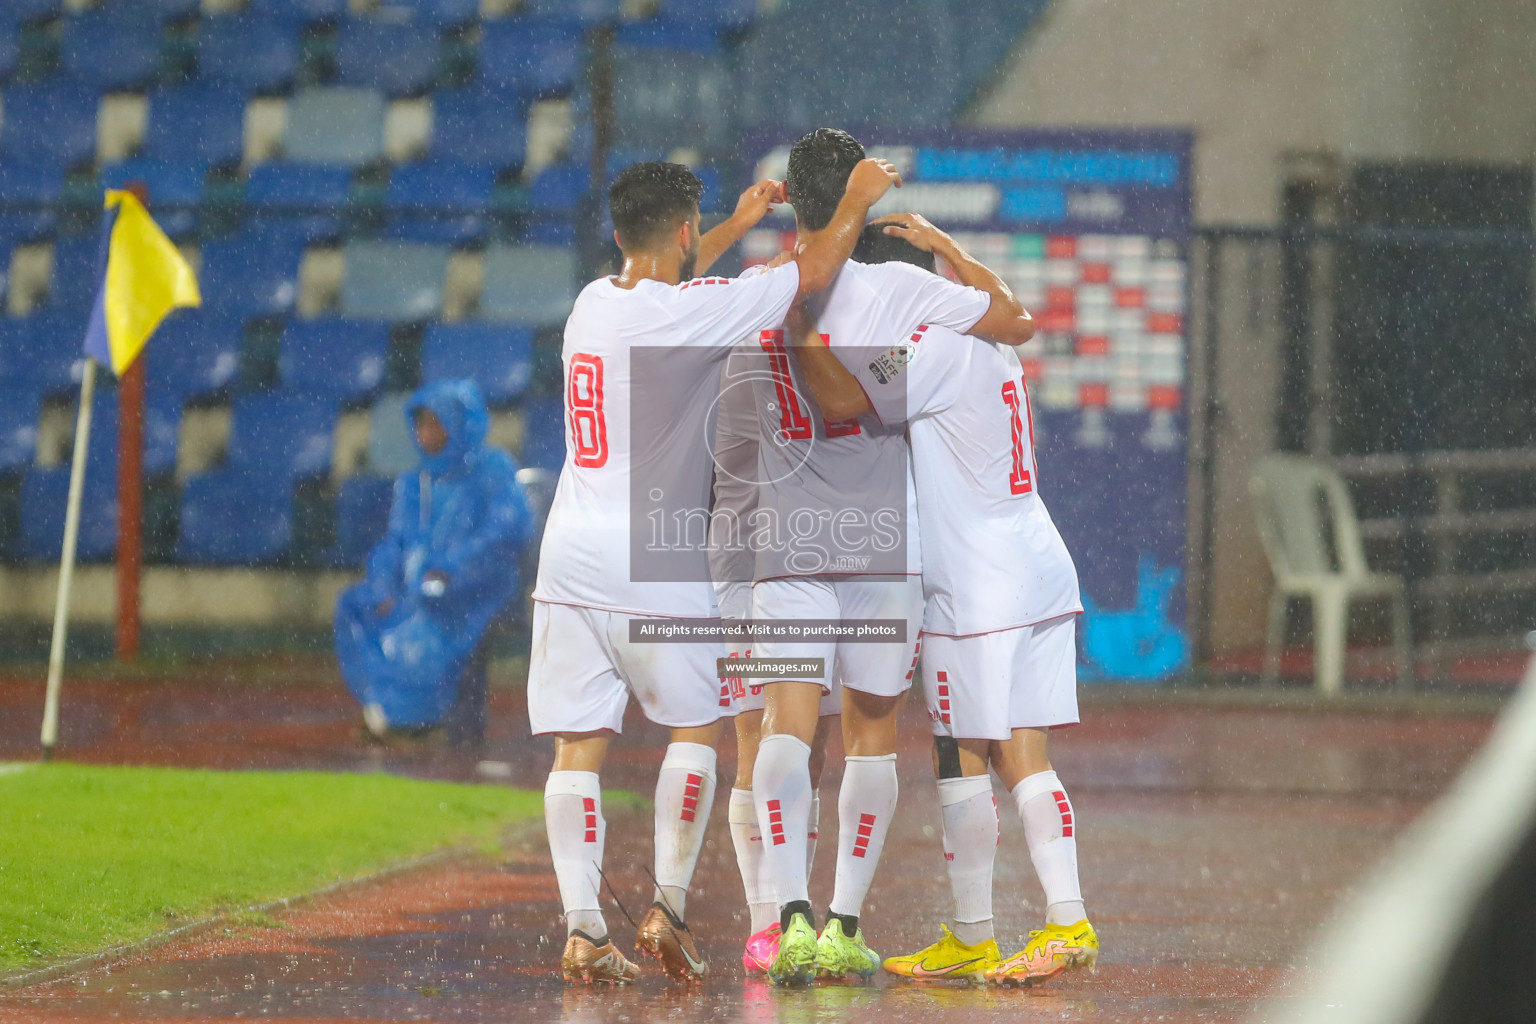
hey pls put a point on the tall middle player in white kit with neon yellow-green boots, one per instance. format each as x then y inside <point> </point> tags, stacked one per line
<point>818,464</point>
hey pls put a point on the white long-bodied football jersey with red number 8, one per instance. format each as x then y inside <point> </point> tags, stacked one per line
<point>683,334</point>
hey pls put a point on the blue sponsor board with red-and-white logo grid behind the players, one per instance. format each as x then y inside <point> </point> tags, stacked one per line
<point>1091,231</point>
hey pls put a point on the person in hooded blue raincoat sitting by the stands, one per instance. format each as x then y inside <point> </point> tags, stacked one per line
<point>409,638</point>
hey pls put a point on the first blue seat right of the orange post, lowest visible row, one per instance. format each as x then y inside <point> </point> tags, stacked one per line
<point>234,518</point>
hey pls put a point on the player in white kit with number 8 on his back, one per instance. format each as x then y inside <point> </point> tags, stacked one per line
<point>584,666</point>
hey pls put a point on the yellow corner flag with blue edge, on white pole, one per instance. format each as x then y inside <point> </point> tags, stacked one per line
<point>144,277</point>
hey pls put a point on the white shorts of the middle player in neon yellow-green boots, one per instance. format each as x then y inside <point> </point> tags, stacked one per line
<point>884,670</point>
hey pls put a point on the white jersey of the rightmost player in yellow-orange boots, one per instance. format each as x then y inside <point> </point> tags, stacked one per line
<point>993,560</point>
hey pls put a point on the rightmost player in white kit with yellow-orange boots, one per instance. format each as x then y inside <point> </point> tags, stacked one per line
<point>999,629</point>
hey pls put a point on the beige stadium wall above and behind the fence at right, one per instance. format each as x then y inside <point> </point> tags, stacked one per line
<point>1274,88</point>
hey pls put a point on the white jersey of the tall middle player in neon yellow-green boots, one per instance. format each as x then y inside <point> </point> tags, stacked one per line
<point>844,474</point>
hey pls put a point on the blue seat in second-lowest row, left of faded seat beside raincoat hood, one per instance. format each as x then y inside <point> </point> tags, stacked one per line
<point>280,435</point>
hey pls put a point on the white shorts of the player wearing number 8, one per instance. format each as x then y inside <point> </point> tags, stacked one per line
<point>584,670</point>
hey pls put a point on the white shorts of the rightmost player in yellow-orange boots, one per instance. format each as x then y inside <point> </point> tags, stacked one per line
<point>987,685</point>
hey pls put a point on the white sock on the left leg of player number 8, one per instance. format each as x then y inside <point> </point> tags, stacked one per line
<point>574,821</point>
